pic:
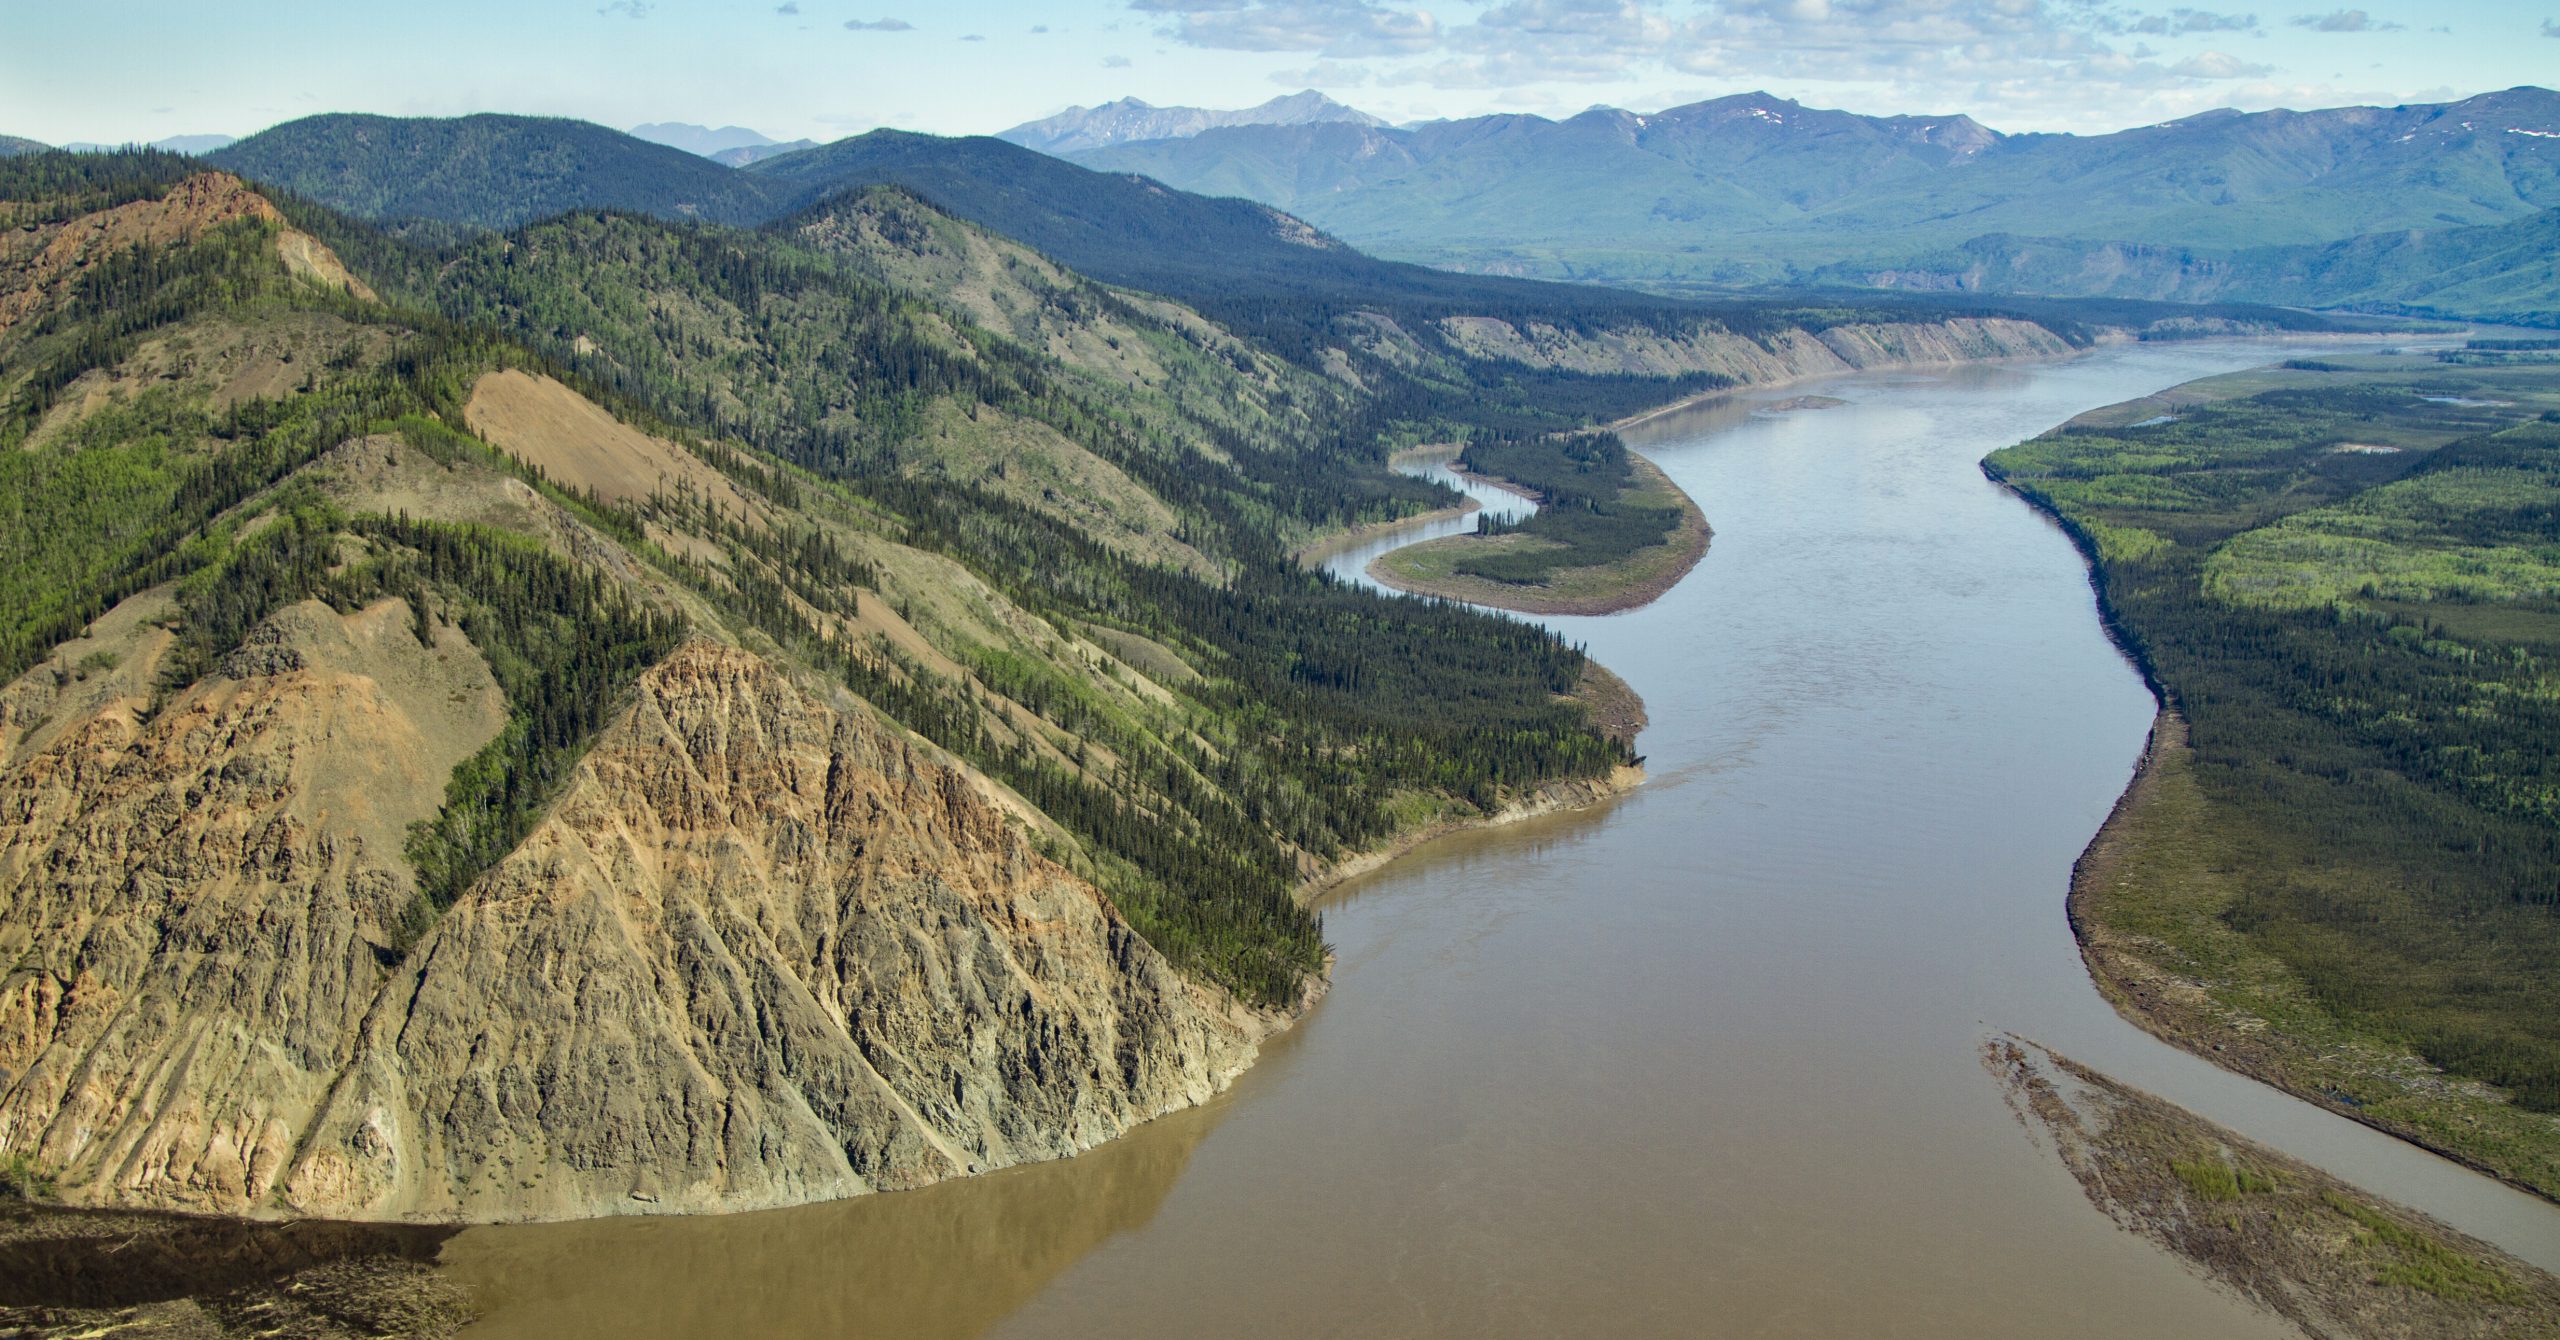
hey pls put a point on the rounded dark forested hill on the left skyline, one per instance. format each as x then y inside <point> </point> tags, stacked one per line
<point>488,170</point>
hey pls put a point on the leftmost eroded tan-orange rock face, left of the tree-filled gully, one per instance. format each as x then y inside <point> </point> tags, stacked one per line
<point>191,901</point>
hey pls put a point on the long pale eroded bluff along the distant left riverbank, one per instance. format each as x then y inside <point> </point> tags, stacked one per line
<point>1786,357</point>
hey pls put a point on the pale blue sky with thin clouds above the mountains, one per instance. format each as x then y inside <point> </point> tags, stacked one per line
<point>137,70</point>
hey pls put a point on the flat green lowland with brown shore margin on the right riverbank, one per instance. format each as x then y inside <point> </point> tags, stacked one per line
<point>2341,867</point>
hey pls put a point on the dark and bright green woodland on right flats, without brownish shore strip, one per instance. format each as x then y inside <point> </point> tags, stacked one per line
<point>2349,585</point>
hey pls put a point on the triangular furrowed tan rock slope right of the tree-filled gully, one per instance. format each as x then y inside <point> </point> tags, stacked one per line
<point>759,954</point>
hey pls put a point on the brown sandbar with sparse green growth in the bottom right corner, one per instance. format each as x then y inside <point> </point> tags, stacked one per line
<point>2277,1231</point>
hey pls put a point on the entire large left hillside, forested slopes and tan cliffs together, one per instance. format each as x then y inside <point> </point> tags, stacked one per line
<point>938,693</point>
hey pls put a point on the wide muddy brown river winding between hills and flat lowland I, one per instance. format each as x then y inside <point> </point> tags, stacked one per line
<point>1699,1062</point>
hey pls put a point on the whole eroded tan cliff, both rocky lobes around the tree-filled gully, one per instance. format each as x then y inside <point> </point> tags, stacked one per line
<point>762,952</point>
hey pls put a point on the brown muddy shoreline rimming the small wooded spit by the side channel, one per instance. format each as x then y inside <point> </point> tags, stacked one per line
<point>1588,591</point>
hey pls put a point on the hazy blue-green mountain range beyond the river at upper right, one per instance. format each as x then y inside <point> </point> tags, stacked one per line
<point>1760,191</point>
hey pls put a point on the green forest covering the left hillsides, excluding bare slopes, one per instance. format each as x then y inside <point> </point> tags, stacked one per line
<point>1309,719</point>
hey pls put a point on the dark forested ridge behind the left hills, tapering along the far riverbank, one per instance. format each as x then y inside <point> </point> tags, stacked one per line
<point>1245,265</point>
